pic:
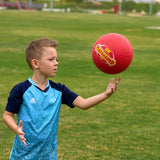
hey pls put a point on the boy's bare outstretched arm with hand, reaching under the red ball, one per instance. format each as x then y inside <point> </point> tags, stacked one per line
<point>92,101</point>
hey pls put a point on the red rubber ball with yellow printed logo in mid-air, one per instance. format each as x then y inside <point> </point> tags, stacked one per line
<point>112,53</point>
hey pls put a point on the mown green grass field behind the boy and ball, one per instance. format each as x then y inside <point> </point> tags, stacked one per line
<point>126,126</point>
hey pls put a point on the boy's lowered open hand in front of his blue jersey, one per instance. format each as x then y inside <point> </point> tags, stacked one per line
<point>20,133</point>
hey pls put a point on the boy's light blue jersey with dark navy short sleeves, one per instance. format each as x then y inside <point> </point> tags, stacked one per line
<point>39,111</point>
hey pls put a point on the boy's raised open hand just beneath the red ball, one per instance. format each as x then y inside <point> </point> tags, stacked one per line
<point>112,87</point>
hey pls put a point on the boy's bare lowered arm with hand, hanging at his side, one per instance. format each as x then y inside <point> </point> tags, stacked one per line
<point>10,122</point>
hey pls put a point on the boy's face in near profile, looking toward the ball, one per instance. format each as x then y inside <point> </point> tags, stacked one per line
<point>48,62</point>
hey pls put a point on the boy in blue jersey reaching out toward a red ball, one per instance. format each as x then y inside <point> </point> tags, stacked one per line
<point>37,103</point>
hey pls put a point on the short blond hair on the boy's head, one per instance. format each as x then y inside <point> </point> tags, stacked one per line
<point>35,49</point>
